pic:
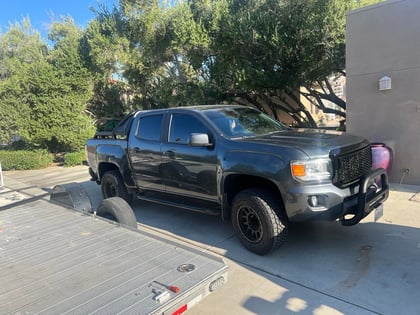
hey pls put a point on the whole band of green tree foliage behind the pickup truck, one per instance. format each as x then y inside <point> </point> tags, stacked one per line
<point>272,54</point>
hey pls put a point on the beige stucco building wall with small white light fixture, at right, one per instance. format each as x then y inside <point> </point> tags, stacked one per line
<point>384,40</point>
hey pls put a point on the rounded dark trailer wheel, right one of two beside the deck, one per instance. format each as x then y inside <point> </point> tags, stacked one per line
<point>117,209</point>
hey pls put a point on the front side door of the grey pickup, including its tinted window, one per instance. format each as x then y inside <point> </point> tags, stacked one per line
<point>187,170</point>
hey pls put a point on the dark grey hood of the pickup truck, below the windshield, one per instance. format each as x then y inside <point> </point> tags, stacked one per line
<point>313,142</point>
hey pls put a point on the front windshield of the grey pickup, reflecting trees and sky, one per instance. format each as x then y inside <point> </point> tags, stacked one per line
<point>243,122</point>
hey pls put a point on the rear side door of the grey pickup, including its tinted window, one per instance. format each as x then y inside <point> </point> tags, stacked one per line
<point>144,152</point>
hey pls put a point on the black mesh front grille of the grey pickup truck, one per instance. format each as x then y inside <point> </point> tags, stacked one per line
<point>351,166</point>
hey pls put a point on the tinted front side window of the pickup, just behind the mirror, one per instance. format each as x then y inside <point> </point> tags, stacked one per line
<point>182,126</point>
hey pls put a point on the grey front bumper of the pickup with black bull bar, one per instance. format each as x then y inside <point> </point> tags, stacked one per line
<point>349,205</point>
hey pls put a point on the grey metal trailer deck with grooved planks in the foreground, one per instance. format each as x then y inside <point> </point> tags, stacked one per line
<point>54,260</point>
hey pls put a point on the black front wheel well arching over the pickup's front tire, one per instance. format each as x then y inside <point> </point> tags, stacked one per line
<point>235,183</point>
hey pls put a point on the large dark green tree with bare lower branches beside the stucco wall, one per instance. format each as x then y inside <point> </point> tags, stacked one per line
<point>264,51</point>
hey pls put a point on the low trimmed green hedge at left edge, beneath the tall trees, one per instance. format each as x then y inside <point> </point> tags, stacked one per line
<point>25,160</point>
